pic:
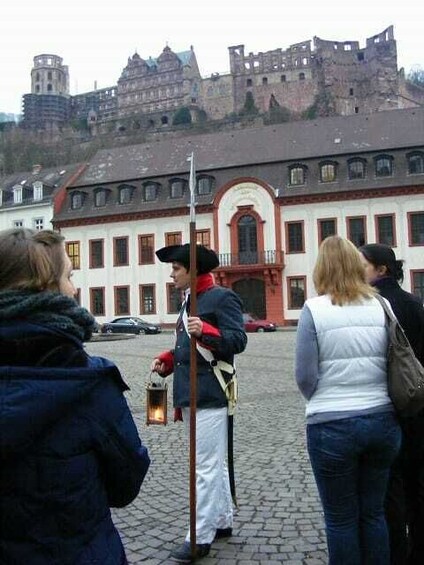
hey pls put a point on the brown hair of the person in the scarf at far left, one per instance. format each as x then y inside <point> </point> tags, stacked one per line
<point>31,259</point>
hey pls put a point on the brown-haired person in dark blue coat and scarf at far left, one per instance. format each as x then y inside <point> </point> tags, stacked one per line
<point>69,448</point>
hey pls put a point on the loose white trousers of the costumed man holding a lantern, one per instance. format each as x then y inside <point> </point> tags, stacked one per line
<point>214,507</point>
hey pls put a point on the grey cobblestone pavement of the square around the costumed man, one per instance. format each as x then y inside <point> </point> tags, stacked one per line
<point>279,518</point>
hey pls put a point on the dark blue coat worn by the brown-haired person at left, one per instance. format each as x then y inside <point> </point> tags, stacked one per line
<point>69,450</point>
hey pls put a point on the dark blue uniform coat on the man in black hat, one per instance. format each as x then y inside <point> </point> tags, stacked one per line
<point>220,307</point>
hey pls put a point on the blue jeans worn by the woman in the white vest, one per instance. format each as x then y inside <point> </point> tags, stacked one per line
<point>351,460</point>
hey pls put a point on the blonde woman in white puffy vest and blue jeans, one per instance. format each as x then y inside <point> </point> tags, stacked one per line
<point>352,432</point>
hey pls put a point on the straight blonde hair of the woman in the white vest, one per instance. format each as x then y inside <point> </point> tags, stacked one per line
<point>339,272</point>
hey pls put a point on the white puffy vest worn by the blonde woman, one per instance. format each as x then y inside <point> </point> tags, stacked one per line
<point>352,348</point>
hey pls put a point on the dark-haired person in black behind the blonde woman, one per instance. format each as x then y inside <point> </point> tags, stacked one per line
<point>405,497</point>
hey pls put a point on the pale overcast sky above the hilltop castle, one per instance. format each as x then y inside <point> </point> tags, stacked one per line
<point>95,39</point>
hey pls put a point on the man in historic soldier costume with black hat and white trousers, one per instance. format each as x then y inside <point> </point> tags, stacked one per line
<point>218,327</point>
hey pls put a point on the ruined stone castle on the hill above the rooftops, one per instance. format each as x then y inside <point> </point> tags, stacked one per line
<point>326,78</point>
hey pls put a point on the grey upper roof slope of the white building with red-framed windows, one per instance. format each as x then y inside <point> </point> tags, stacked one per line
<point>293,141</point>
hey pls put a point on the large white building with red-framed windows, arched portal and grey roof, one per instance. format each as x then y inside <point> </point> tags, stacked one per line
<point>265,199</point>
